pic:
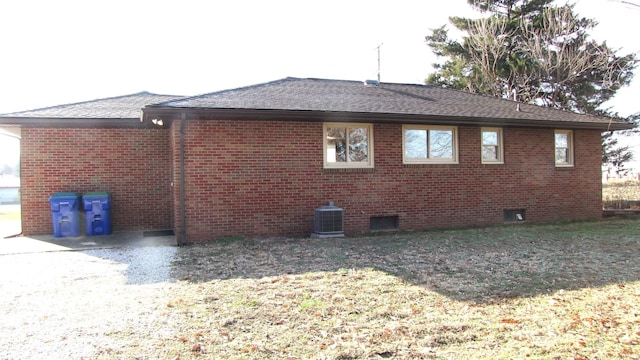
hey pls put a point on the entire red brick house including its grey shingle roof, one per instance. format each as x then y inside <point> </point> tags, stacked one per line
<point>257,161</point>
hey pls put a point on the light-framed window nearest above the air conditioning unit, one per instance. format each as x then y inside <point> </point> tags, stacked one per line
<point>348,145</point>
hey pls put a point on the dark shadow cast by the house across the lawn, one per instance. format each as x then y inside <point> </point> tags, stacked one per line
<point>468,265</point>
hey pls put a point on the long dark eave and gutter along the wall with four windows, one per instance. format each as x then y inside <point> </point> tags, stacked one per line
<point>174,113</point>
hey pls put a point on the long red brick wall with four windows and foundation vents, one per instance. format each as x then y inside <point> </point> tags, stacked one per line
<point>265,178</point>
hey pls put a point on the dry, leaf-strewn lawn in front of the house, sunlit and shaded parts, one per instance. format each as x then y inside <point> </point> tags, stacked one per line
<point>558,291</point>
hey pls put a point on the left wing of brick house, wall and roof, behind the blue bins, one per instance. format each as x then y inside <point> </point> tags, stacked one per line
<point>95,146</point>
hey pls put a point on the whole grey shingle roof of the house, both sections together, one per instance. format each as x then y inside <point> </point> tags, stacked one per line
<point>316,99</point>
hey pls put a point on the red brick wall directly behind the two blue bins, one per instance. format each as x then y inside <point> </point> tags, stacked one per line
<point>131,164</point>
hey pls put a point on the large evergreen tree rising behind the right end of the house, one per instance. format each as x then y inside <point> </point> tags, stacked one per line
<point>535,52</point>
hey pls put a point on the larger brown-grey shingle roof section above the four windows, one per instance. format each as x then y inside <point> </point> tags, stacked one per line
<point>342,96</point>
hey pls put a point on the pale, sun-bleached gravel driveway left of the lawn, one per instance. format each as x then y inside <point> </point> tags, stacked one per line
<point>84,304</point>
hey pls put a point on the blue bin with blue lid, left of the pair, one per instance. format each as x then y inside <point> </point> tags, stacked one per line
<point>65,213</point>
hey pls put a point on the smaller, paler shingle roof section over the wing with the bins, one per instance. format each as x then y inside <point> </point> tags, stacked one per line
<point>119,107</point>
